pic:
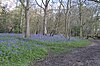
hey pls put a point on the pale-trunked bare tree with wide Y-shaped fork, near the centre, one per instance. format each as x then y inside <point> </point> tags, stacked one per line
<point>44,7</point>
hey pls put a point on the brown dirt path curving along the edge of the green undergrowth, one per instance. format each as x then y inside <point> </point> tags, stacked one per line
<point>86,56</point>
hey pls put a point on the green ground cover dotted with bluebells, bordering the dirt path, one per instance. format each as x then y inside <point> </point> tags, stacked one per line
<point>22,51</point>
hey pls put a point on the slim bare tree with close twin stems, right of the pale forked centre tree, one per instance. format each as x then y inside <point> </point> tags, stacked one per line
<point>67,9</point>
